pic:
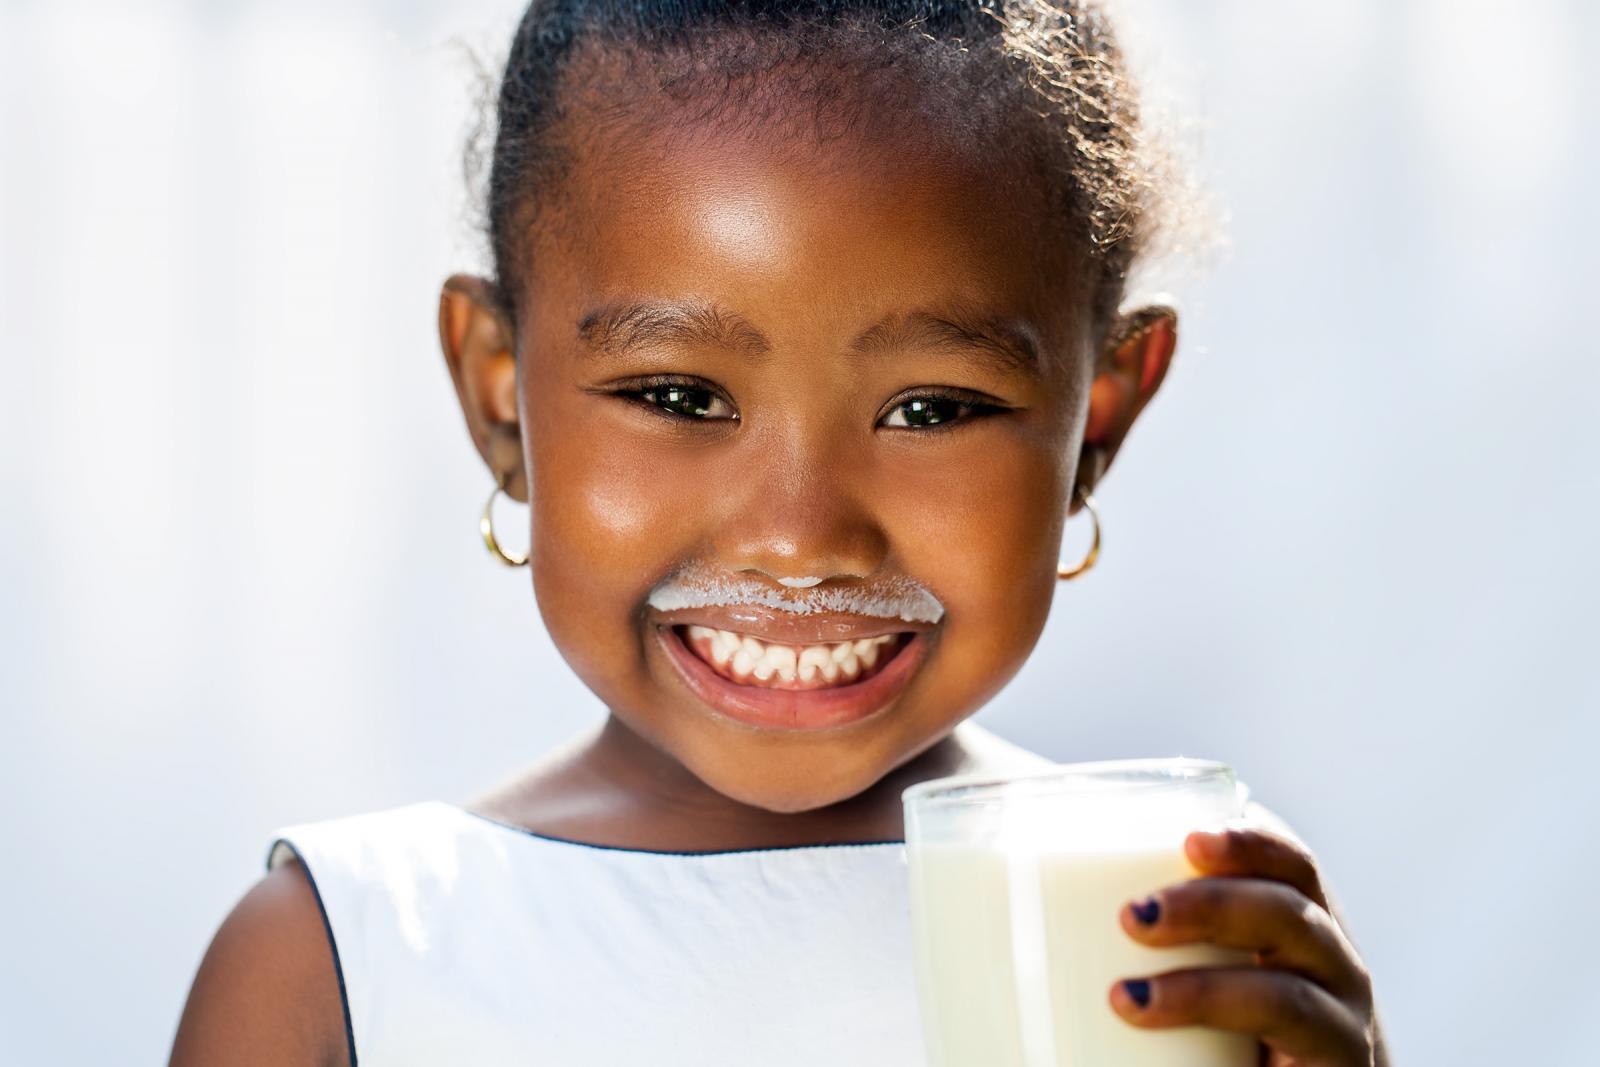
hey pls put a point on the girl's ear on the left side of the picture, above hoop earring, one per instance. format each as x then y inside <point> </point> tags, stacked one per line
<point>481,354</point>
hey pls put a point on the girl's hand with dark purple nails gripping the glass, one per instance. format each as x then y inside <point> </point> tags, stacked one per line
<point>1308,999</point>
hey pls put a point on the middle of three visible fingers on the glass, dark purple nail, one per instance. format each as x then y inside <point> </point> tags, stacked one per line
<point>1271,919</point>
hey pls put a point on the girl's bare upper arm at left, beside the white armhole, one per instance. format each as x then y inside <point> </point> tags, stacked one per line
<point>268,989</point>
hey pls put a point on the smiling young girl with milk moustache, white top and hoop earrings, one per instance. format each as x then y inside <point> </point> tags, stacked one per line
<point>804,342</point>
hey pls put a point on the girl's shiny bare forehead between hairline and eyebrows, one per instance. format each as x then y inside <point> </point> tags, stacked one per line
<point>810,238</point>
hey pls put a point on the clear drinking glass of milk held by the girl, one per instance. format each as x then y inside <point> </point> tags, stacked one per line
<point>1017,885</point>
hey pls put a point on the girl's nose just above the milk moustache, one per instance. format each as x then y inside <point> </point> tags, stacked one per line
<point>801,510</point>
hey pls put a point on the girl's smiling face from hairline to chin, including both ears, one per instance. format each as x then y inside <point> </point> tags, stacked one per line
<point>863,367</point>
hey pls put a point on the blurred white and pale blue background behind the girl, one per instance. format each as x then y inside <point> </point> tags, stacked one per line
<point>1353,548</point>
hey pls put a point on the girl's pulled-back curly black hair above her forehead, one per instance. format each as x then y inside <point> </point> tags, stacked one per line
<point>1049,79</point>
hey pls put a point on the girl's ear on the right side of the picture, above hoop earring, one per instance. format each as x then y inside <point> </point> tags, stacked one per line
<point>1127,374</point>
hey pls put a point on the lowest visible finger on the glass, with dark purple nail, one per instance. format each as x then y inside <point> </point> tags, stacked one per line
<point>1287,1012</point>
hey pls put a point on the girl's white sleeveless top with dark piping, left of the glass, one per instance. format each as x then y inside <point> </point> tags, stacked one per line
<point>460,940</point>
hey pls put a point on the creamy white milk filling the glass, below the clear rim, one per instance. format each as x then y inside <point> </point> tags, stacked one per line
<point>1017,956</point>
